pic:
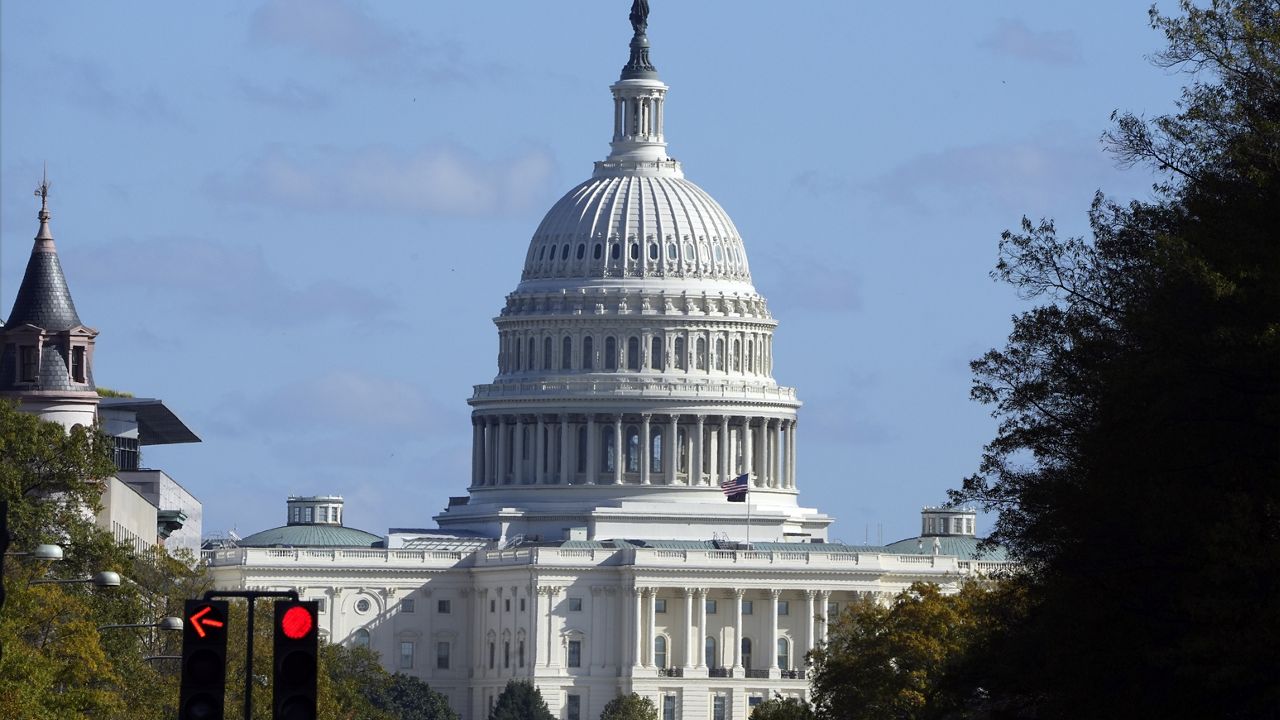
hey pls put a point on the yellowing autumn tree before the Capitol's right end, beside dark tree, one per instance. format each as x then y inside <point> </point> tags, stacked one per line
<point>892,660</point>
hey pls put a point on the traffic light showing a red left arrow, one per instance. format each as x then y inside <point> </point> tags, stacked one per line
<point>204,660</point>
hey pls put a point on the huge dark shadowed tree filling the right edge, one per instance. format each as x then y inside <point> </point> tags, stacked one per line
<point>1137,457</point>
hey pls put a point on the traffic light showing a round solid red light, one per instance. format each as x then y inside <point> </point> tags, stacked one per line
<point>294,692</point>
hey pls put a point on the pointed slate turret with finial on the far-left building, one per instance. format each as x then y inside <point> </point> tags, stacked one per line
<point>47,354</point>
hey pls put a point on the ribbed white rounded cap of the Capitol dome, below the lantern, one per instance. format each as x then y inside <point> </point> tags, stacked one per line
<point>637,227</point>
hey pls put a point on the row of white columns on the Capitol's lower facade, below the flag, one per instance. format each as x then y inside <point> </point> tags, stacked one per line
<point>646,628</point>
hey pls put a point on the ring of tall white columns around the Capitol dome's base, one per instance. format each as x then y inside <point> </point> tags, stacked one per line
<point>712,453</point>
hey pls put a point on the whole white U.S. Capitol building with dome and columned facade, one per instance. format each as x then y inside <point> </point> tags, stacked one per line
<point>596,553</point>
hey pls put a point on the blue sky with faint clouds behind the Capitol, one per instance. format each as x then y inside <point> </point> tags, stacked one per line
<point>295,221</point>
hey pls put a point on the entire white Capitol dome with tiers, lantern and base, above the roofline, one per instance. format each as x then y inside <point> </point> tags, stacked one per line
<point>634,364</point>
